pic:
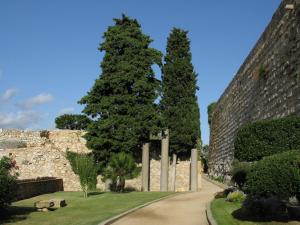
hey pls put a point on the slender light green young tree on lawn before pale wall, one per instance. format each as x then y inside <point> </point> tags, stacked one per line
<point>87,172</point>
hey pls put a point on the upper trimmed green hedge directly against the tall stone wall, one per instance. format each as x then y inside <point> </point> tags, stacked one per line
<point>264,138</point>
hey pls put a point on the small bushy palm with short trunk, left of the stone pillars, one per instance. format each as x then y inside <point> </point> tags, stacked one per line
<point>121,166</point>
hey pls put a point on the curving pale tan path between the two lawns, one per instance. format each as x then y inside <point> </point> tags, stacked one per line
<point>183,209</point>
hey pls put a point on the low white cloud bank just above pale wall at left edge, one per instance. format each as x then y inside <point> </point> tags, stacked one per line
<point>19,120</point>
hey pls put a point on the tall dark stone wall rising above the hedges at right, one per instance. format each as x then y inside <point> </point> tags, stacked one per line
<point>266,86</point>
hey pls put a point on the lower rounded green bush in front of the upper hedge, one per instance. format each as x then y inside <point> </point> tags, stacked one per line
<point>277,175</point>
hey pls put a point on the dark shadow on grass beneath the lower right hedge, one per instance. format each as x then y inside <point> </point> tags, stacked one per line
<point>244,215</point>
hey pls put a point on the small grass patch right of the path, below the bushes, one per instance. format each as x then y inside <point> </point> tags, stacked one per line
<point>222,212</point>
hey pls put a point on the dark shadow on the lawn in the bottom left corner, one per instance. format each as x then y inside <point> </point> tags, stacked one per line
<point>14,214</point>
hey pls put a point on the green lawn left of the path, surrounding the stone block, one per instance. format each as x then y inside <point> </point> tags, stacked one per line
<point>79,211</point>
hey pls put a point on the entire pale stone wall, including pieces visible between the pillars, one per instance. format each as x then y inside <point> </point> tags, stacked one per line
<point>45,156</point>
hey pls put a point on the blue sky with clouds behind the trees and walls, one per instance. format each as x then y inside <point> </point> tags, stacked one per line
<point>49,54</point>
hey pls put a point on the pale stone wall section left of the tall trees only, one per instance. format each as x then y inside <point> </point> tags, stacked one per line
<point>45,154</point>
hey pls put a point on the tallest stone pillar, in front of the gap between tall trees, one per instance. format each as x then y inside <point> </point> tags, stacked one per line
<point>164,168</point>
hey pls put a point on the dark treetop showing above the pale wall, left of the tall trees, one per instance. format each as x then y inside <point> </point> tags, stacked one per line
<point>72,122</point>
